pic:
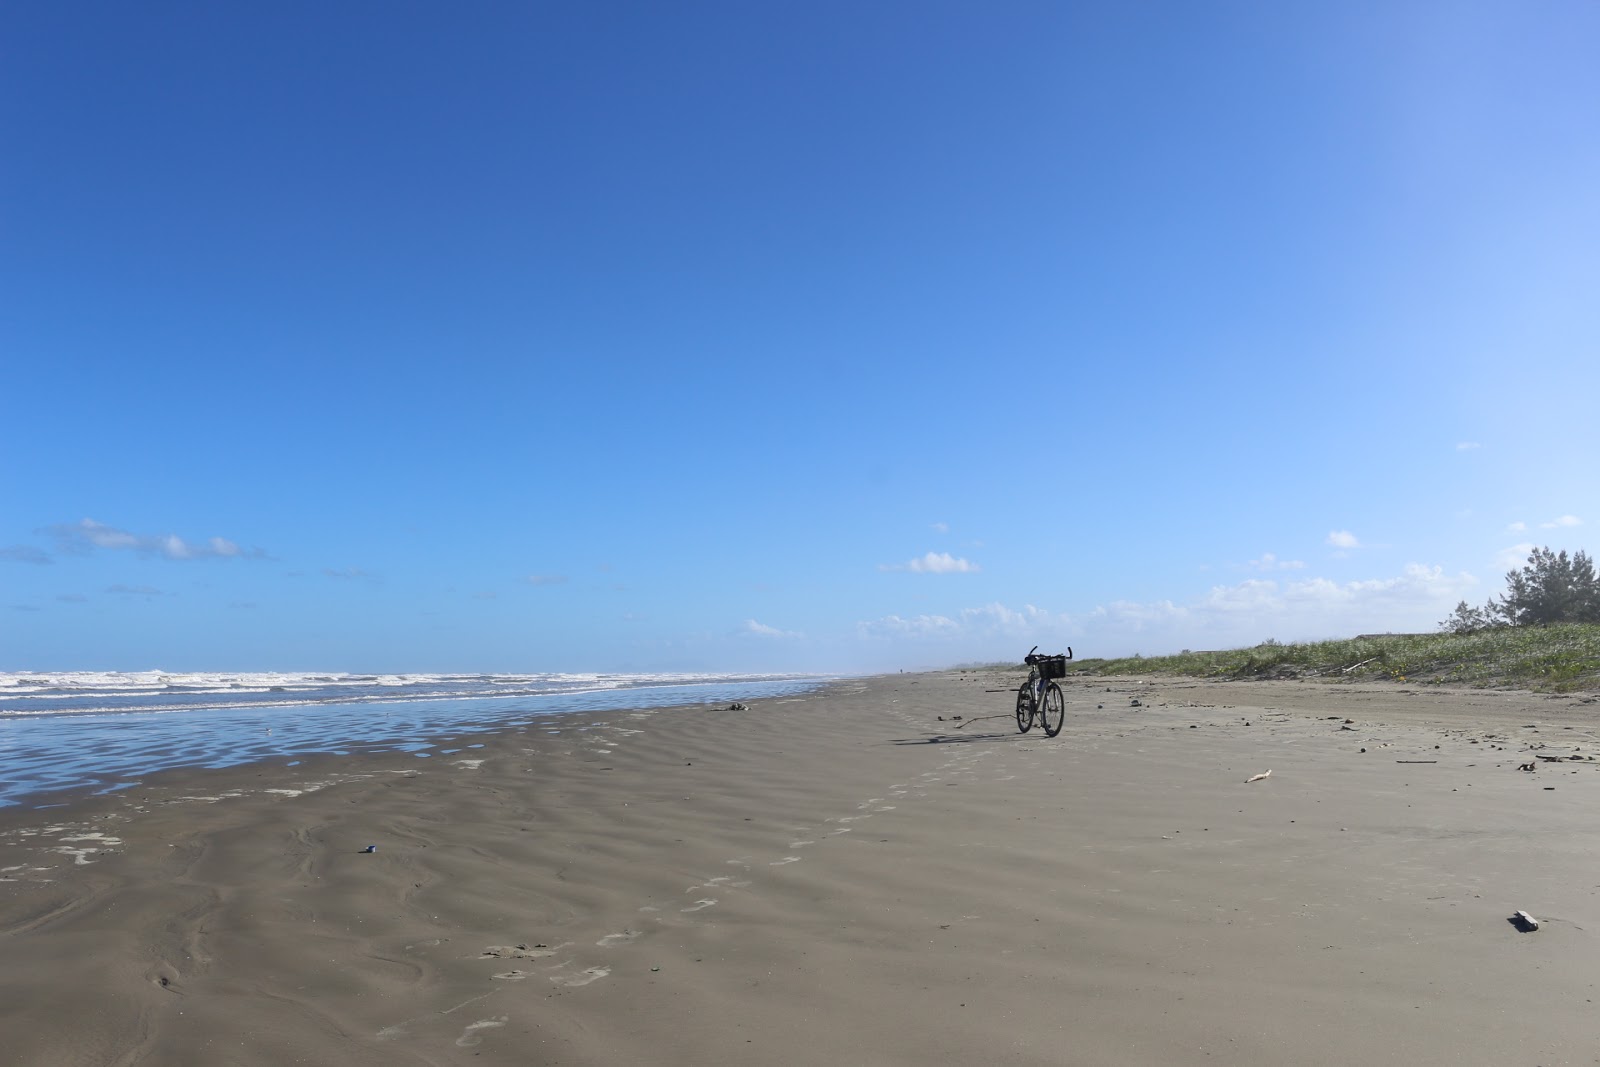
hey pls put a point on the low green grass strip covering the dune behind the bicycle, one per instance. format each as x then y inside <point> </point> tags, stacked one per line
<point>1548,658</point>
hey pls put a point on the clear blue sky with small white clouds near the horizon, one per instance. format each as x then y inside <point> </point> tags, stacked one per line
<point>783,338</point>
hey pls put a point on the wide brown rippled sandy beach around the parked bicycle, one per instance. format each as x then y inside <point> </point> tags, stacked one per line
<point>844,879</point>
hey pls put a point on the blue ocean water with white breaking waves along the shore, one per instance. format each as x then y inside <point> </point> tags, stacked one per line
<point>105,730</point>
